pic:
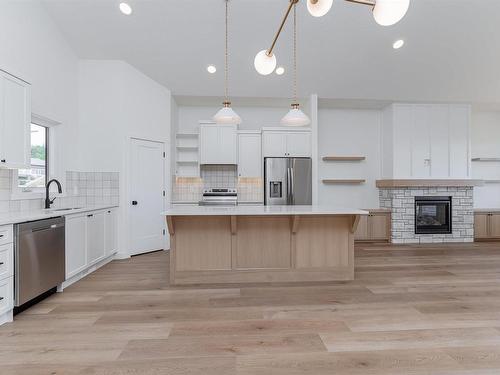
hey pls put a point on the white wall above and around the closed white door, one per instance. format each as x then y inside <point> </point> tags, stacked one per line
<point>117,102</point>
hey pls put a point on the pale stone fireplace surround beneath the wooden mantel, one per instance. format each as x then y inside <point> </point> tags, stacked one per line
<point>401,201</point>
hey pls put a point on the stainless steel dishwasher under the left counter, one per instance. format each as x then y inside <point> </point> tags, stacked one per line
<point>39,258</point>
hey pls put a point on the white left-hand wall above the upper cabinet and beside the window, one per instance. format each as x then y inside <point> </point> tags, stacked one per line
<point>33,49</point>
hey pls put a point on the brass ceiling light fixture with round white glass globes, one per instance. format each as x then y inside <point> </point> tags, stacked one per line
<point>385,13</point>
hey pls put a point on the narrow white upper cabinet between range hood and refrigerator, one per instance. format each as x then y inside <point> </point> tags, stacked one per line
<point>249,154</point>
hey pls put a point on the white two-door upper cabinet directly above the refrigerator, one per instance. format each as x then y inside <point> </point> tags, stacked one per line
<point>286,143</point>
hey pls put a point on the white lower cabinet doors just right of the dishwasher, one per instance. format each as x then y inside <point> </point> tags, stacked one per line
<point>90,238</point>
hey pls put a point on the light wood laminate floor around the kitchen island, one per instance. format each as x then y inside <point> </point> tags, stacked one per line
<point>431,310</point>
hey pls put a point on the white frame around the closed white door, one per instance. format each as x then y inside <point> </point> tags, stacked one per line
<point>128,185</point>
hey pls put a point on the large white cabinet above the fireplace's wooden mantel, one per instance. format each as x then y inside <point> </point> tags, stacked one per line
<point>426,141</point>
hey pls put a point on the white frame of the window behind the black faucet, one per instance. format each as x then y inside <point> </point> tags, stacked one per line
<point>18,193</point>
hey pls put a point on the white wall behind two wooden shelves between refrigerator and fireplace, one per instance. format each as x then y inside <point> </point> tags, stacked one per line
<point>344,132</point>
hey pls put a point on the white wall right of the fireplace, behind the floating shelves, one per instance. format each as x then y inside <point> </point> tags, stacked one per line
<point>485,143</point>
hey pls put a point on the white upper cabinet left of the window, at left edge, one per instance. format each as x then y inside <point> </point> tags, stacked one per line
<point>15,119</point>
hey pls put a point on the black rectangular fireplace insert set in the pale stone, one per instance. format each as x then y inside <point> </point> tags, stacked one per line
<point>433,215</point>
